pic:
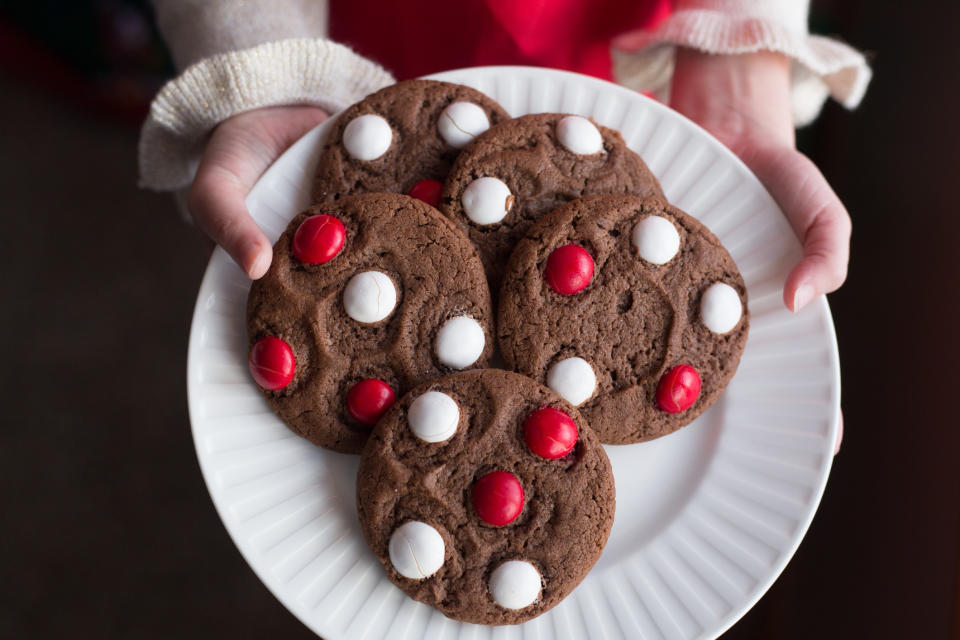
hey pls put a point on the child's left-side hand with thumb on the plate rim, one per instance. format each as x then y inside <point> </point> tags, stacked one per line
<point>239,151</point>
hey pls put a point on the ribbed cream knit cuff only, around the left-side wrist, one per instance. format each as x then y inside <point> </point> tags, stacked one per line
<point>297,71</point>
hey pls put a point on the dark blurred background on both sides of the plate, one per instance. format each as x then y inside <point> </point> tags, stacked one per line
<point>107,528</point>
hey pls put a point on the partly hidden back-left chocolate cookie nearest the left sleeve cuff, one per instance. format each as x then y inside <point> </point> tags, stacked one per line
<point>400,136</point>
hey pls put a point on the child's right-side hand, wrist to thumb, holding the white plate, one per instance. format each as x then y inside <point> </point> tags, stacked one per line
<point>744,101</point>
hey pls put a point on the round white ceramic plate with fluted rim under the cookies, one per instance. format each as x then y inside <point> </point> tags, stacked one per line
<point>707,517</point>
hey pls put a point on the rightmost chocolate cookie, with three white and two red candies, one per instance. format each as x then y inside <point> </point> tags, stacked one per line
<point>628,308</point>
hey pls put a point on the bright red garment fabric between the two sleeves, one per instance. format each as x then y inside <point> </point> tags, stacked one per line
<point>417,37</point>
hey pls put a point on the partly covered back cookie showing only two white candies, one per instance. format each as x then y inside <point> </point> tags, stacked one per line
<point>522,169</point>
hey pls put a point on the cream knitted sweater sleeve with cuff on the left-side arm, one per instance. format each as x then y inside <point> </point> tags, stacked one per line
<point>236,56</point>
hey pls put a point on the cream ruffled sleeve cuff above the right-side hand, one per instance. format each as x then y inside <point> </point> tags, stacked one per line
<point>821,67</point>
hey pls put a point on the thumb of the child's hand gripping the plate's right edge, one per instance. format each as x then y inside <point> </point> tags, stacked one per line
<point>817,216</point>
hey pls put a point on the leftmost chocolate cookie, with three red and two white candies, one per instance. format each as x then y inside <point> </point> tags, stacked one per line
<point>366,297</point>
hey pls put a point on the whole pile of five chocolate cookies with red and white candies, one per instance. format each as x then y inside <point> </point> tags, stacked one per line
<point>447,237</point>
